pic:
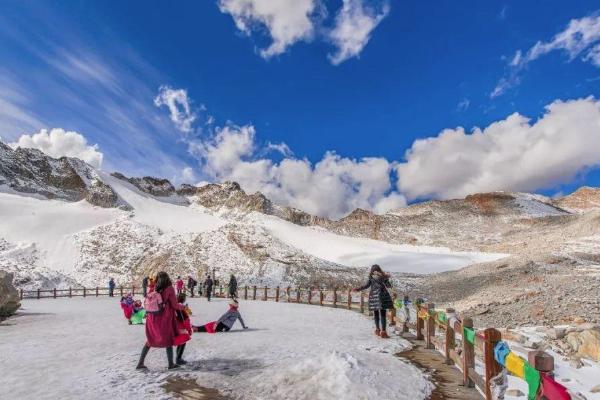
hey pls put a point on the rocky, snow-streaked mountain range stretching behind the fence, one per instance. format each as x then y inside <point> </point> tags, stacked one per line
<point>65,223</point>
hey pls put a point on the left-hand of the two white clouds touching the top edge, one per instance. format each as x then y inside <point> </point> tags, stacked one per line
<point>287,21</point>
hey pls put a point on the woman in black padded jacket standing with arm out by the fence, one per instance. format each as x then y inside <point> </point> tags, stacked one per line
<point>379,298</point>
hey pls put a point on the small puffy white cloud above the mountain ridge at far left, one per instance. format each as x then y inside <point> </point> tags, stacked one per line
<point>58,143</point>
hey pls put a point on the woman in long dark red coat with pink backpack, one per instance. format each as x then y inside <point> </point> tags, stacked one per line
<point>161,323</point>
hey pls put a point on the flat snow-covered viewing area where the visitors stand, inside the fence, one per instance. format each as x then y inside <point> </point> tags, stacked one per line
<point>83,348</point>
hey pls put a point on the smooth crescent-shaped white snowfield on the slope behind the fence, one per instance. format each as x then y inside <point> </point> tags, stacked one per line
<point>360,252</point>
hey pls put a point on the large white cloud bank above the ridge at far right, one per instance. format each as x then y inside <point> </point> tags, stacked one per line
<point>511,154</point>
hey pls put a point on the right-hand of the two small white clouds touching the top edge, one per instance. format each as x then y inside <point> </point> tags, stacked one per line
<point>354,23</point>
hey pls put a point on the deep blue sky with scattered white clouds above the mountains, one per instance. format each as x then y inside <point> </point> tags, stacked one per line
<point>360,78</point>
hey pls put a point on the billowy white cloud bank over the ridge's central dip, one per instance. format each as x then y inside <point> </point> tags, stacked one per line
<point>332,187</point>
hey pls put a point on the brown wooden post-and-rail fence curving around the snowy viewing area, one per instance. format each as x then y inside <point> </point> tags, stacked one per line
<point>443,331</point>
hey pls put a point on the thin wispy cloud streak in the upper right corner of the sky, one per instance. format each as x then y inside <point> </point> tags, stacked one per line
<point>581,37</point>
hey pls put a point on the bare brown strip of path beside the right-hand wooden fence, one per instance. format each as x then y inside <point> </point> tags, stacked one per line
<point>446,378</point>
